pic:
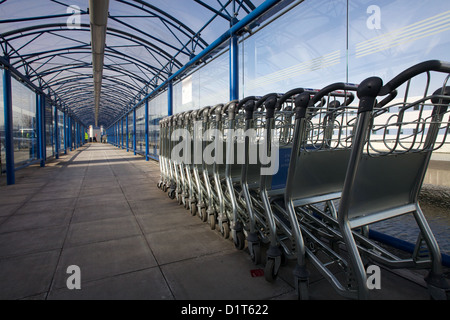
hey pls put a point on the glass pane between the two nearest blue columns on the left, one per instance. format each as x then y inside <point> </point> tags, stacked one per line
<point>24,123</point>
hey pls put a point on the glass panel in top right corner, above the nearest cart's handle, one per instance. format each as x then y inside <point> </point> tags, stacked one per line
<point>384,43</point>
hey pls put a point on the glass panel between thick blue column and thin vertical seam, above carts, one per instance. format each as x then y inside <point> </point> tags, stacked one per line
<point>306,47</point>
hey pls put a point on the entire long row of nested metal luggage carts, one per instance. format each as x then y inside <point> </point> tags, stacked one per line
<point>305,174</point>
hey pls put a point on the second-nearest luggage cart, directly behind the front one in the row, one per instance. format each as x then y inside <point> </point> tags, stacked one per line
<point>321,148</point>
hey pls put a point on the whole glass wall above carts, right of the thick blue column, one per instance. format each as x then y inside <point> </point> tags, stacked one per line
<point>319,42</point>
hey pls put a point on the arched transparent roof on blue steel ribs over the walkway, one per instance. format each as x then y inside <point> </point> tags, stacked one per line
<point>50,44</point>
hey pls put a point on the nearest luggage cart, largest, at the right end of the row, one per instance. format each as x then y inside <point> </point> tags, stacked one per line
<point>387,165</point>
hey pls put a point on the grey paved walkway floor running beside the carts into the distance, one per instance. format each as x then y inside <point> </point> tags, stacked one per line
<point>99,208</point>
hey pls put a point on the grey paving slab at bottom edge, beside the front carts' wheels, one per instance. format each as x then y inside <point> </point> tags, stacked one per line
<point>222,276</point>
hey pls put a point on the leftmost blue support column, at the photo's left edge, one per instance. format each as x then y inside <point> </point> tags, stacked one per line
<point>8,113</point>
